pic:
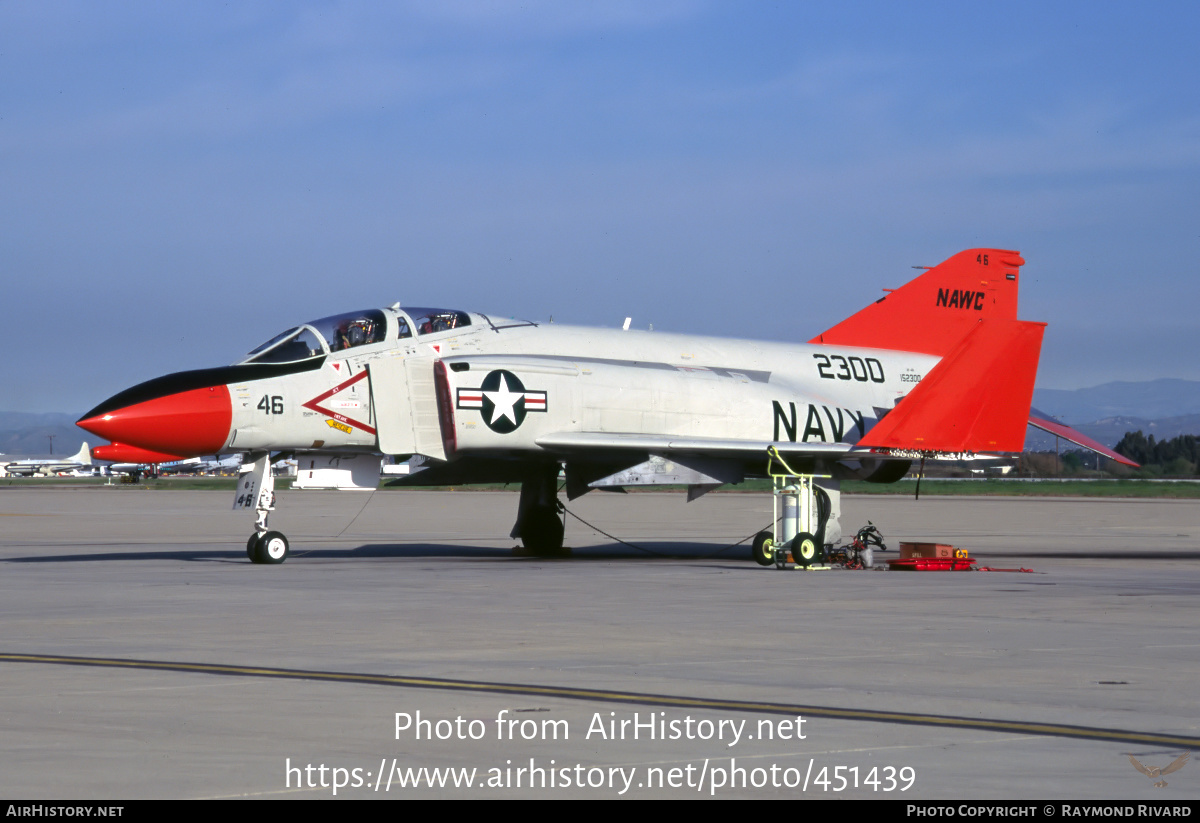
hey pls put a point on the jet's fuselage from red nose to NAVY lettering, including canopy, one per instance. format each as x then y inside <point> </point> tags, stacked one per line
<point>397,382</point>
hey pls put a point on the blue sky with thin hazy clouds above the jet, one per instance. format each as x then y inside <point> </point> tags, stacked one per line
<point>182,182</point>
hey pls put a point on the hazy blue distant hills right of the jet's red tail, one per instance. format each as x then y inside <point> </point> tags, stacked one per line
<point>1151,400</point>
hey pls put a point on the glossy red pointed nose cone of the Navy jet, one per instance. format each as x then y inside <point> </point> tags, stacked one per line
<point>187,424</point>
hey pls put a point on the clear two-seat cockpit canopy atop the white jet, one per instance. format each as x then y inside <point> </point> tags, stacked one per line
<point>353,329</point>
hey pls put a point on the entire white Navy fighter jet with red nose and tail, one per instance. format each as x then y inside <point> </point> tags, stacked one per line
<point>938,369</point>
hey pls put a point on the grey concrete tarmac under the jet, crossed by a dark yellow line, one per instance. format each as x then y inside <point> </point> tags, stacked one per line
<point>145,657</point>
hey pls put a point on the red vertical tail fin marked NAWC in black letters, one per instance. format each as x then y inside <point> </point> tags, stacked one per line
<point>933,314</point>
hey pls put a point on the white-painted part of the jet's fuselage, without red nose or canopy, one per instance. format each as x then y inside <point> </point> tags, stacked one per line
<point>571,380</point>
